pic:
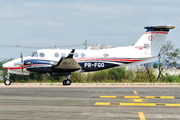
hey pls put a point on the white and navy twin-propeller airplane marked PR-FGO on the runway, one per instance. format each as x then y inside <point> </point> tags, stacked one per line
<point>63,62</point>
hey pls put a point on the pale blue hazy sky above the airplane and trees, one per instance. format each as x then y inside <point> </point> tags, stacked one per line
<point>35,24</point>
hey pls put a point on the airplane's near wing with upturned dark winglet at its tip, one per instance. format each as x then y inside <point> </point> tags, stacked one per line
<point>68,63</point>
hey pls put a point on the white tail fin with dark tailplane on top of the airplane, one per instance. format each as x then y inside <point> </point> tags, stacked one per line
<point>153,39</point>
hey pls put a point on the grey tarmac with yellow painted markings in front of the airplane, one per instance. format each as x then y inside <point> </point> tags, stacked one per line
<point>100,102</point>
